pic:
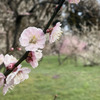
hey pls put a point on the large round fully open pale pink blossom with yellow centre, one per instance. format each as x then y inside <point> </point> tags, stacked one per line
<point>32,39</point>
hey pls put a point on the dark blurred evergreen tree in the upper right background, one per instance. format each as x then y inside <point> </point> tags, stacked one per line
<point>87,11</point>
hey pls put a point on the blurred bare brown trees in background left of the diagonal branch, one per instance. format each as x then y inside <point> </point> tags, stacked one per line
<point>16,15</point>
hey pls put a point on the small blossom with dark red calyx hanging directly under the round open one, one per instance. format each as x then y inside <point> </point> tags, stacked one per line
<point>34,57</point>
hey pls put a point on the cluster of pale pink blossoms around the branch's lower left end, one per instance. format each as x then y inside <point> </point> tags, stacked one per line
<point>18,75</point>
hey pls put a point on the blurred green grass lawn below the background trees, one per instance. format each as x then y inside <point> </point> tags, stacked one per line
<point>67,81</point>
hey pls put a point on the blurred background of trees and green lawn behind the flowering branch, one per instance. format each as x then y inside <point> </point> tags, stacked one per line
<point>69,69</point>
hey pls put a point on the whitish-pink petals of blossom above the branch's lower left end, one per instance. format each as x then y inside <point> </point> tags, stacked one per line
<point>9,59</point>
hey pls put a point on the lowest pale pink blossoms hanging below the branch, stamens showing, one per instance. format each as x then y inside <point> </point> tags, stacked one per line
<point>17,76</point>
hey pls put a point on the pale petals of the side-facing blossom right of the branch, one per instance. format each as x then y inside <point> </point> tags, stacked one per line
<point>56,33</point>
